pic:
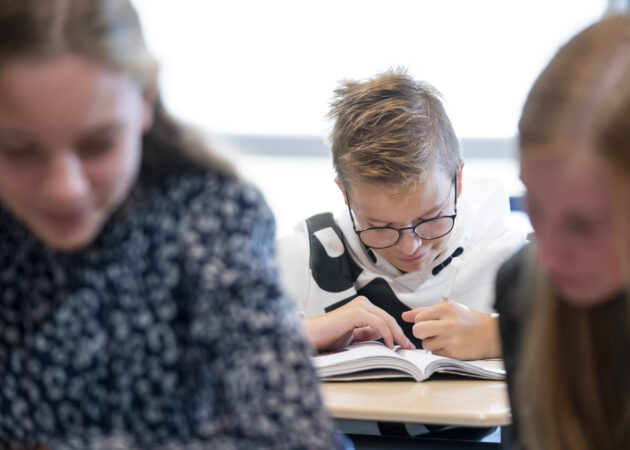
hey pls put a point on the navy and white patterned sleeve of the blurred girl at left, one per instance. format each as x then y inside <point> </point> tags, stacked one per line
<point>248,370</point>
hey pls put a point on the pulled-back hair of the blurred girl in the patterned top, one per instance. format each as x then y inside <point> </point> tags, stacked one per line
<point>107,32</point>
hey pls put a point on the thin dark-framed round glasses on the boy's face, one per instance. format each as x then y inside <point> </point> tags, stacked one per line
<point>384,237</point>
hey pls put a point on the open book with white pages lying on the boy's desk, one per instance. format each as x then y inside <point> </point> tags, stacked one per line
<point>373,360</point>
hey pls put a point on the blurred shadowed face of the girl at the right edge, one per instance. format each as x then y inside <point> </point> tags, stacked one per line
<point>571,205</point>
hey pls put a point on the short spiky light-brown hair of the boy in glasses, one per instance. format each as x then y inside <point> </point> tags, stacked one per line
<point>392,130</point>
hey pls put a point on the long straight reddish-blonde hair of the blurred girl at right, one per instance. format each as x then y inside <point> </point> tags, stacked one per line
<point>573,385</point>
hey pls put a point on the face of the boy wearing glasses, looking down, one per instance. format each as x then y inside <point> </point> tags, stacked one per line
<point>377,205</point>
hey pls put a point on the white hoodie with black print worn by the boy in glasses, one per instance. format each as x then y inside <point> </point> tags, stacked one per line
<point>481,229</point>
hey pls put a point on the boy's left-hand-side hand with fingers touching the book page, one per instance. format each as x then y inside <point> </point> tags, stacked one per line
<point>356,321</point>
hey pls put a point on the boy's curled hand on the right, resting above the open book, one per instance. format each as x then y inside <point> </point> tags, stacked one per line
<point>454,330</point>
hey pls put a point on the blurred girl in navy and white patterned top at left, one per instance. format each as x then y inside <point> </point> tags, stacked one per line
<point>138,298</point>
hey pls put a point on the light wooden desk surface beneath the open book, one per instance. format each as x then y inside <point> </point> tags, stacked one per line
<point>465,402</point>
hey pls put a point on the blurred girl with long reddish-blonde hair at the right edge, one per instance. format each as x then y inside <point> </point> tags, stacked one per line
<point>565,316</point>
